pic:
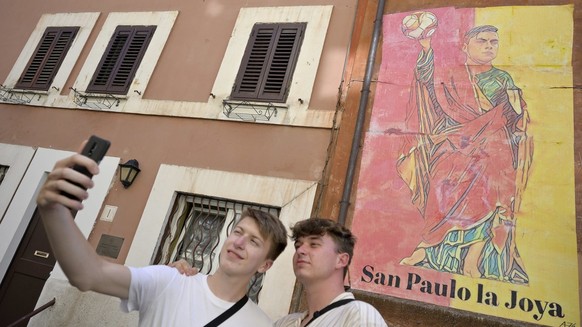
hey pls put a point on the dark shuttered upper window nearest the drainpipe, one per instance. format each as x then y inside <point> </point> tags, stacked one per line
<point>268,63</point>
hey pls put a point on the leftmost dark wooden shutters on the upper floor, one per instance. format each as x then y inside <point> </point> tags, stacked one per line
<point>47,58</point>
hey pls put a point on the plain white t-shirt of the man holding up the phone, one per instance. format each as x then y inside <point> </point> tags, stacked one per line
<point>164,297</point>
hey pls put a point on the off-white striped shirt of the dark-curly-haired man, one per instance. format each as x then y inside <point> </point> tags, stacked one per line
<point>352,314</point>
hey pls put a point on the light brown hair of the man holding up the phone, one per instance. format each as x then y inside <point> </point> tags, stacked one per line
<point>270,227</point>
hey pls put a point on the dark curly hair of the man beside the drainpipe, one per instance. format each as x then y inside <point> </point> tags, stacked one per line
<point>342,236</point>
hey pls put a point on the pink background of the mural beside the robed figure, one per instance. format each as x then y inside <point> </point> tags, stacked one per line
<point>383,211</point>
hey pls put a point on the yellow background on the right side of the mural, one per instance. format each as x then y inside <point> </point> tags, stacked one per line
<point>535,48</point>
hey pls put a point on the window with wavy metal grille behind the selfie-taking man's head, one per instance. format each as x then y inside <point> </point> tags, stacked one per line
<point>196,230</point>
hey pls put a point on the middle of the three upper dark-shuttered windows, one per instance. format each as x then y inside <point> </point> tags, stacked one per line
<point>117,67</point>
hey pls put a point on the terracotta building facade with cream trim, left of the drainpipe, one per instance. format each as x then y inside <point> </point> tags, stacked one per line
<point>223,105</point>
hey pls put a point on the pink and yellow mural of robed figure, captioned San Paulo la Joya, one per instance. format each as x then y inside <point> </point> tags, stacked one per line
<point>466,189</point>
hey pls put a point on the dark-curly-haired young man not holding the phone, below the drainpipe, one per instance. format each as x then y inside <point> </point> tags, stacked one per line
<point>323,252</point>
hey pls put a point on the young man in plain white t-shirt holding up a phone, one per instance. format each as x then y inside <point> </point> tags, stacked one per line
<point>162,296</point>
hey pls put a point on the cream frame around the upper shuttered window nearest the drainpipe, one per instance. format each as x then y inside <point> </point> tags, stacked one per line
<point>296,111</point>
